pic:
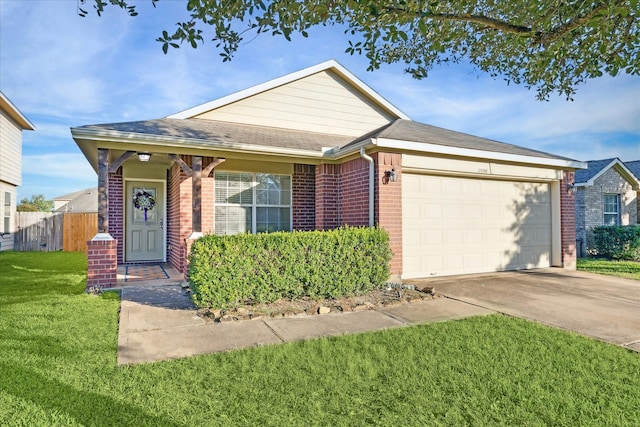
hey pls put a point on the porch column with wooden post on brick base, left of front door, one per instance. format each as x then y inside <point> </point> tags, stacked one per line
<point>102,266</point>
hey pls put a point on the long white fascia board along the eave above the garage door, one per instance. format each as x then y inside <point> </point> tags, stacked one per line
<point>468,152</point>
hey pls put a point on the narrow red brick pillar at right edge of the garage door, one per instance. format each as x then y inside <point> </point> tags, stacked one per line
<point>568,222</point>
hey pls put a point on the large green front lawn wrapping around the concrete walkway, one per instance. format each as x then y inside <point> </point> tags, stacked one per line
<point>58,367</point>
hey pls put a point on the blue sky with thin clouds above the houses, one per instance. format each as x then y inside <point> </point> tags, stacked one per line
<point>62,70</point>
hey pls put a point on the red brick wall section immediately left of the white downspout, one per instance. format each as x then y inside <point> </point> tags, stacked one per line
<point>354,193</point>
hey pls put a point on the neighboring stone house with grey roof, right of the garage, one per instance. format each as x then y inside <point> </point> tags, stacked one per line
<point>606,194</point>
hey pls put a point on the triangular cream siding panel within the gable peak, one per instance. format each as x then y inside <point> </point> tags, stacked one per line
<point>321,102</point>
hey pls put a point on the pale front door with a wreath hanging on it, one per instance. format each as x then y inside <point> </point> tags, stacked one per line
<point>144,239</point>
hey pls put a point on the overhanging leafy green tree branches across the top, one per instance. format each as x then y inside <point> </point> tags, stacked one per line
<point>549,45</point>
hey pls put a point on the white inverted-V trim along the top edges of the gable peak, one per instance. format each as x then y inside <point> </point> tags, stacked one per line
<point>331,65</point>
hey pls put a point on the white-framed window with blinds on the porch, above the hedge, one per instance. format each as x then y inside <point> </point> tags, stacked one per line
<point>255,203</point>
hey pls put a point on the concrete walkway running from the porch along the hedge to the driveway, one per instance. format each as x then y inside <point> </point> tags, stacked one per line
<point>160,322</point>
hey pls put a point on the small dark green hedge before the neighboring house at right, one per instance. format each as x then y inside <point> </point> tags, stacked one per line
<point>617,242</point>
